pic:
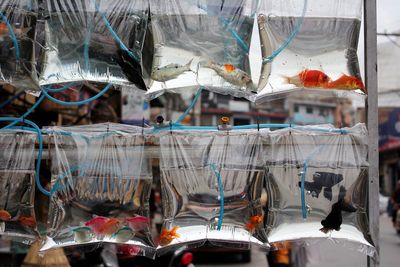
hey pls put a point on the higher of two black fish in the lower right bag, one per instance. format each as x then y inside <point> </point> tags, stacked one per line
<point>320,180</point>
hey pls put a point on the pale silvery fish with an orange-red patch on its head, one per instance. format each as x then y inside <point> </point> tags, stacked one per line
<point>231,74</point>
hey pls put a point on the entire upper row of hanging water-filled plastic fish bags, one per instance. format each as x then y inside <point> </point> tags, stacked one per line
<point>161,46</point>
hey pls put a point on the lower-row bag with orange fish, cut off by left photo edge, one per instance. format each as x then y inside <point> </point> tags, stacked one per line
<point>17,186</point>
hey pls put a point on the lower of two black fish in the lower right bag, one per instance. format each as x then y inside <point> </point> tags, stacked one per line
<point>334,219</point>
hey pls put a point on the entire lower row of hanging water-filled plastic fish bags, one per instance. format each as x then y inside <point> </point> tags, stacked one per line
<point>316,181</point>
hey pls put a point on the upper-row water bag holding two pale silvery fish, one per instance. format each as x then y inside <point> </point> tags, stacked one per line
<point>202,43</point>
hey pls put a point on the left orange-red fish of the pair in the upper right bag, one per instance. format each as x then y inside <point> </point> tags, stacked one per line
<point>309,79</point>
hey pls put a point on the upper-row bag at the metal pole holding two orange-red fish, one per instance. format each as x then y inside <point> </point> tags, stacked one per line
<point>309,44</point>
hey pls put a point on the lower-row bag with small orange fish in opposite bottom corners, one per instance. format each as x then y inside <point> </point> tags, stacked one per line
<point>211,190</point>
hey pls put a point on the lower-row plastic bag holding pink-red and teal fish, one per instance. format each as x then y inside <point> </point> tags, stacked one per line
<point>100,188</point>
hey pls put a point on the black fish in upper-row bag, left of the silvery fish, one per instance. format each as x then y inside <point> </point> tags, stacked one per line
<point>131,68</point>
